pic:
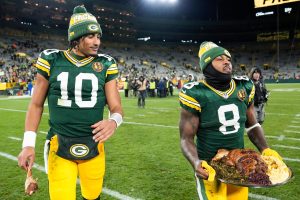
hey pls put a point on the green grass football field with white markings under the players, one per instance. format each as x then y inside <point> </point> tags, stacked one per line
<point>144,160</point>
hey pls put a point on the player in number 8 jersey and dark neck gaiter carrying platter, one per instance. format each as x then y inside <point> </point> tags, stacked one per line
<point>217,110</point>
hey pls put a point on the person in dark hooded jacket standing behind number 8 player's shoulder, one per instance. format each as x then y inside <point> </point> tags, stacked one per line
<point>261,94</point>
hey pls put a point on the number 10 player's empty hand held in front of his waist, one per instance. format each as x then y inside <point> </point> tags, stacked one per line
<point>103,130</point>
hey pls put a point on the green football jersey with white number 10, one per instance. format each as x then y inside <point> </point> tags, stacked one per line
<point>76,93</point>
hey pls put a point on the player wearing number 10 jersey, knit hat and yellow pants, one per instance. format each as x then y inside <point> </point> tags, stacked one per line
<point>78,83</point>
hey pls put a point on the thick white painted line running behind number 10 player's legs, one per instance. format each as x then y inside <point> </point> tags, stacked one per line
<point>107,191</point>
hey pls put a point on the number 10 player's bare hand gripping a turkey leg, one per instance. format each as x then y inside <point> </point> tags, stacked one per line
<point>26,158</point>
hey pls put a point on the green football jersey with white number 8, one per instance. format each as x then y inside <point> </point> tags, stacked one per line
<point>222,115</point>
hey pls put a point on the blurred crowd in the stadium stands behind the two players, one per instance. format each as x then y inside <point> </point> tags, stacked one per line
<point>165,65</point>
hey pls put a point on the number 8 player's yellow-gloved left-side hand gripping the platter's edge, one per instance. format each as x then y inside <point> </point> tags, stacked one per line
<point>205,171</point>
